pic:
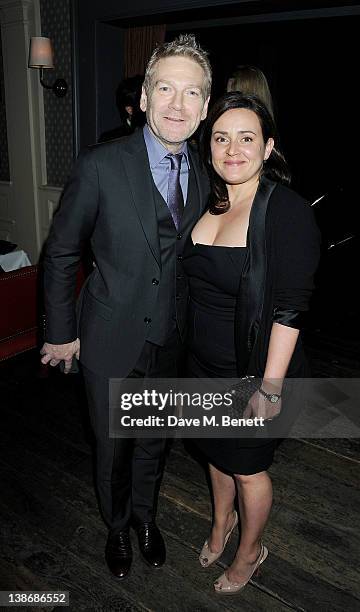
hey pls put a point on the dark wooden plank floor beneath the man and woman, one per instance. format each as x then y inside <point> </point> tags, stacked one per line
<point>52,537</point>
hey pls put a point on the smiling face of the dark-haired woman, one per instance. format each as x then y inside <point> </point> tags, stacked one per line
<point>237,146</point>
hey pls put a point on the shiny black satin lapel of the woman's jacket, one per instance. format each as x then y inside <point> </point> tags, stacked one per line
<point>252,286</point>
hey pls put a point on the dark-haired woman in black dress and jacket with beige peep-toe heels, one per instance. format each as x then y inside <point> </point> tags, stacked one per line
<point>250,263</point>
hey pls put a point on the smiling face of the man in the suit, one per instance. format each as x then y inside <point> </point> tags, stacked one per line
<point>176,104</point>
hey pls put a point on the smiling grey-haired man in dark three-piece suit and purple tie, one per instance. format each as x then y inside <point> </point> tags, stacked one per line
<point>137,200</point>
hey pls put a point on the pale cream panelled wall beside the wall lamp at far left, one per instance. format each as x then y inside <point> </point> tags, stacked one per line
<point>26,203</point>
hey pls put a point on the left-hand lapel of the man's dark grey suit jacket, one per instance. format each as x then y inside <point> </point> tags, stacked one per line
<point>136,163</point>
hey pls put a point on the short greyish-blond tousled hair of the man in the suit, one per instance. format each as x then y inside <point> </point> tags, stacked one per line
<point>184,46</point>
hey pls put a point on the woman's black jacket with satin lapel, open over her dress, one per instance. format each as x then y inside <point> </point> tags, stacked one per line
<point>278,276</point>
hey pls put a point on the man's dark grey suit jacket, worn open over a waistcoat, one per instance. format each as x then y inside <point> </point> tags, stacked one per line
<point>109,199</point>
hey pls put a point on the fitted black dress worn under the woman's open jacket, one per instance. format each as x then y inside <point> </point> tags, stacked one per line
<point>214,275</point>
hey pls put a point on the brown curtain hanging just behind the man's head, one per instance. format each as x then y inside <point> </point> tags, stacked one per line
<point>139,44</point>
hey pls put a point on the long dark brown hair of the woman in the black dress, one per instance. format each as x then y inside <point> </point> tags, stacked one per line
<point>275,167</point>
